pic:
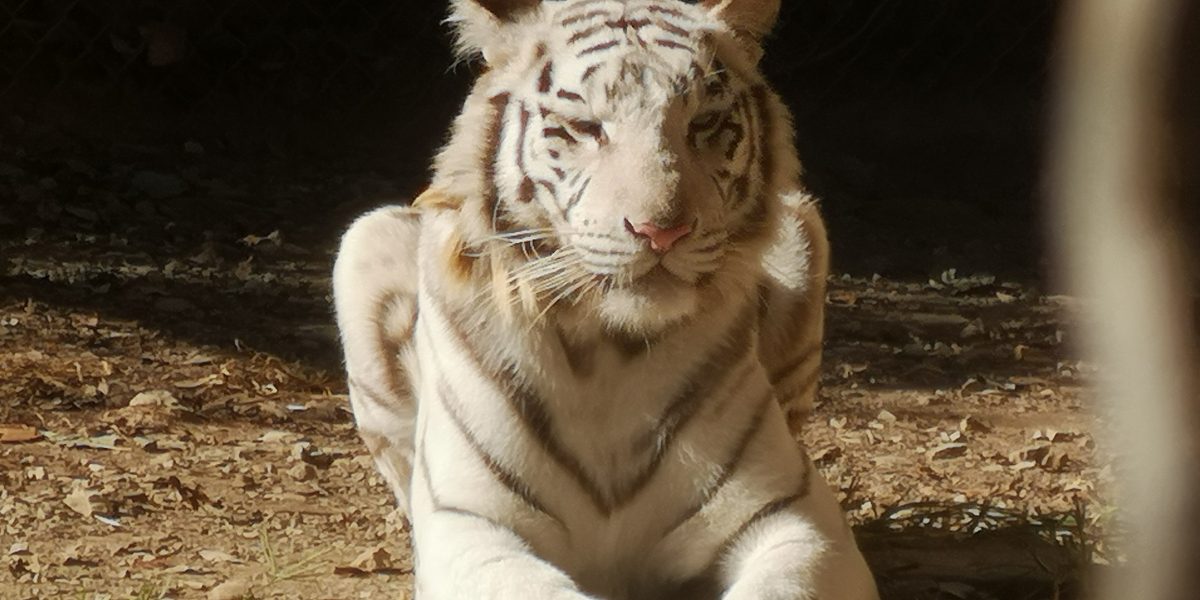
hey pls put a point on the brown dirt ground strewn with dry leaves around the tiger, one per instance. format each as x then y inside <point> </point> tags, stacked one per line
<point>175,423</point>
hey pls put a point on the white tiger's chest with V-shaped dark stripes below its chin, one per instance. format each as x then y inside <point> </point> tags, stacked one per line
<point>628,447</point>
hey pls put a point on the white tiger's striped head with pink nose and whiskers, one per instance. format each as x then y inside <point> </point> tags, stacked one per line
<point>625,157</point>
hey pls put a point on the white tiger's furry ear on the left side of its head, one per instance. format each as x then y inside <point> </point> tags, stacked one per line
<point>482,26</point>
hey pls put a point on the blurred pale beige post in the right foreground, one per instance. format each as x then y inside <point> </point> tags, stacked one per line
<point>1118,226</point>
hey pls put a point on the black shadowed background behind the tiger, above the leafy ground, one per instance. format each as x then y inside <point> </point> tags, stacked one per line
<point>921,123</point>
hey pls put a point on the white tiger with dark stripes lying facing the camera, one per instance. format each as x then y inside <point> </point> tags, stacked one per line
<point>577,359</point>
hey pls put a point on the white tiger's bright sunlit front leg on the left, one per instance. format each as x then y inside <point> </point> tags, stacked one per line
<point>475,520</point>
